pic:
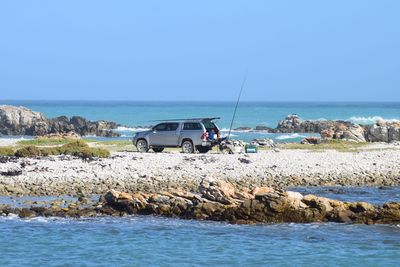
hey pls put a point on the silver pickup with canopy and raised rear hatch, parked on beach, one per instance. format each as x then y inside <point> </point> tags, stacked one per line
<point>199,134</point>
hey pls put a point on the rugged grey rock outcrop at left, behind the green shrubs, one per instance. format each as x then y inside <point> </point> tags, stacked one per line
<point>23,121</point>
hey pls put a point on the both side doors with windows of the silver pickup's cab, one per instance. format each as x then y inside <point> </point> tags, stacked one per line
<point>165,134</point>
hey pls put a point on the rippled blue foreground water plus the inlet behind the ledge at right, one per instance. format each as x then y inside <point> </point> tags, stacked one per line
<point>153,241</point>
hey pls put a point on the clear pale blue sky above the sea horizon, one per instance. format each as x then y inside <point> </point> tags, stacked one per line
<point>200,50</point>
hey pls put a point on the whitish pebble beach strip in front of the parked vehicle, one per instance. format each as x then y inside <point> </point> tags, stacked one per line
<point>375,165</point>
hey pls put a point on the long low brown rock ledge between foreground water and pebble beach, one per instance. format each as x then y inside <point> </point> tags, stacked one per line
<point>221,201</point>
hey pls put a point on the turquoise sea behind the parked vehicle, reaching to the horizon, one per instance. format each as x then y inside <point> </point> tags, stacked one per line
<point>137,116</point>
